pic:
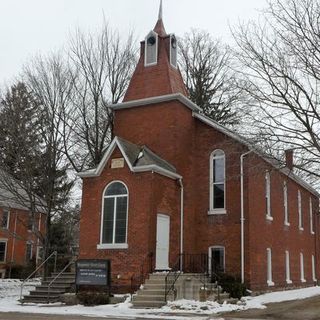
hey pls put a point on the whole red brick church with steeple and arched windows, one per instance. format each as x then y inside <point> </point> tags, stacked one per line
<point>175,186</point>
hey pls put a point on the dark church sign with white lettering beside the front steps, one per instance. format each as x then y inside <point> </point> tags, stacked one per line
<point>93,272</point>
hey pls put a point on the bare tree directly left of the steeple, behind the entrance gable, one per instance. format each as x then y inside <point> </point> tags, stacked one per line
<point>102,65</point>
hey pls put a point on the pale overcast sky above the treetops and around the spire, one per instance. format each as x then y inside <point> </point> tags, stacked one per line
<point>28,27</point>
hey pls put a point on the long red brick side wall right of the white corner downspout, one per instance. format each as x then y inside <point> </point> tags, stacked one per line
<point>274,234</point>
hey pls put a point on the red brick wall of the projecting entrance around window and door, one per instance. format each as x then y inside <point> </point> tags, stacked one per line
<point>149,194</point>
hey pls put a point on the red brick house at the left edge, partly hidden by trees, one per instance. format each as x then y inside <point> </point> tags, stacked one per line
<point>19,229</point>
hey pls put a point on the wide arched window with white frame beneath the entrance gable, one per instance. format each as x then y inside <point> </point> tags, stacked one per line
<point>115,214</point>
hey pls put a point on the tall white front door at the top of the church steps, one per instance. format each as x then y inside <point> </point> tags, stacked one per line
<point>162,249</point>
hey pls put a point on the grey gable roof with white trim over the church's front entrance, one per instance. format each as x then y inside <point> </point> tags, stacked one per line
<point>138,159</point>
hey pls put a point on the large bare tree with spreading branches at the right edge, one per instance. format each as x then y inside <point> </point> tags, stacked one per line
<point>280,63</point>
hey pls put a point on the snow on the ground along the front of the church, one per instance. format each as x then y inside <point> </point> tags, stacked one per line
<point>10,292</point>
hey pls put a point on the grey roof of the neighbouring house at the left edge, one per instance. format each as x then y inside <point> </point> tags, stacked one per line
<point>13,195</point>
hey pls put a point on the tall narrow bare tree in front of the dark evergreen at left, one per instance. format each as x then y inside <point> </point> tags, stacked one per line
<point>51,82</point>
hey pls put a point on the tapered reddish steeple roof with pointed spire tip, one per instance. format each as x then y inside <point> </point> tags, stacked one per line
<point>160,78</point>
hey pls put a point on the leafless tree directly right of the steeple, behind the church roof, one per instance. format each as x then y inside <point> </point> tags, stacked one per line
<point>206,67</point>
